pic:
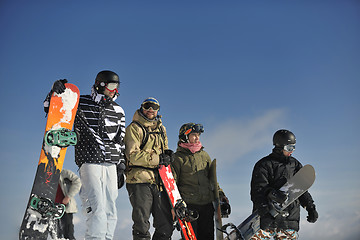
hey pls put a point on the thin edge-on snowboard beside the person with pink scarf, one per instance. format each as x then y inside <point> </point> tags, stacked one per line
<point>216,202</point>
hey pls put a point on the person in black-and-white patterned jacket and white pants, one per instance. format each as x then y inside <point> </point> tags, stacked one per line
<point>99,153</point>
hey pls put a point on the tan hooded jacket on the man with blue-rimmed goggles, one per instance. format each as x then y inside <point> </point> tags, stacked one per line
<point>140,162</point>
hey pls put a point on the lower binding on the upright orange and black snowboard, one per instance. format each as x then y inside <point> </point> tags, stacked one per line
<point>46,207</point>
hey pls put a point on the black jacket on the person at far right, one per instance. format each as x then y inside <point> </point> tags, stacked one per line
<point>271,172</point>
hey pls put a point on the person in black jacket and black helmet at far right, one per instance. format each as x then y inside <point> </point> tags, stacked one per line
<point>269,174</point>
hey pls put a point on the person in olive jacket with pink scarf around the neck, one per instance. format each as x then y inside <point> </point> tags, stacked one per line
<point>191,170</point>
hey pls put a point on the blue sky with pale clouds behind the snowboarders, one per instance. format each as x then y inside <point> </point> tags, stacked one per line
<point>243,69</point>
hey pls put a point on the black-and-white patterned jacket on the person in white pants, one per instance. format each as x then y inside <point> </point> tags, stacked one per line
<point>100,125</point>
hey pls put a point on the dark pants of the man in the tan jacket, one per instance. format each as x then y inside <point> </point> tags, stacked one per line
<point>147,200</point>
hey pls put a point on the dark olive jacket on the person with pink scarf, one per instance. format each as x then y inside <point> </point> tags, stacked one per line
<point>191,171</point>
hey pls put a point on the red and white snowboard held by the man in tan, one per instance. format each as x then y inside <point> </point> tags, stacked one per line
<point>177,204</point>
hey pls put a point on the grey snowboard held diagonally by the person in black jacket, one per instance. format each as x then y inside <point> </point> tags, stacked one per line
<point>294,188</point>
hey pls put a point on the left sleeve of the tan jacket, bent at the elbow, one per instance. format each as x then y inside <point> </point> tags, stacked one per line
<point>134,155</point>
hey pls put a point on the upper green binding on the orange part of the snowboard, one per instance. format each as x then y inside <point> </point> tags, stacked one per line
<point>62,137</point>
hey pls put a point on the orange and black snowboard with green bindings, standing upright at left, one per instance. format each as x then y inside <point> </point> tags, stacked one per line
<point>58,135</point>
